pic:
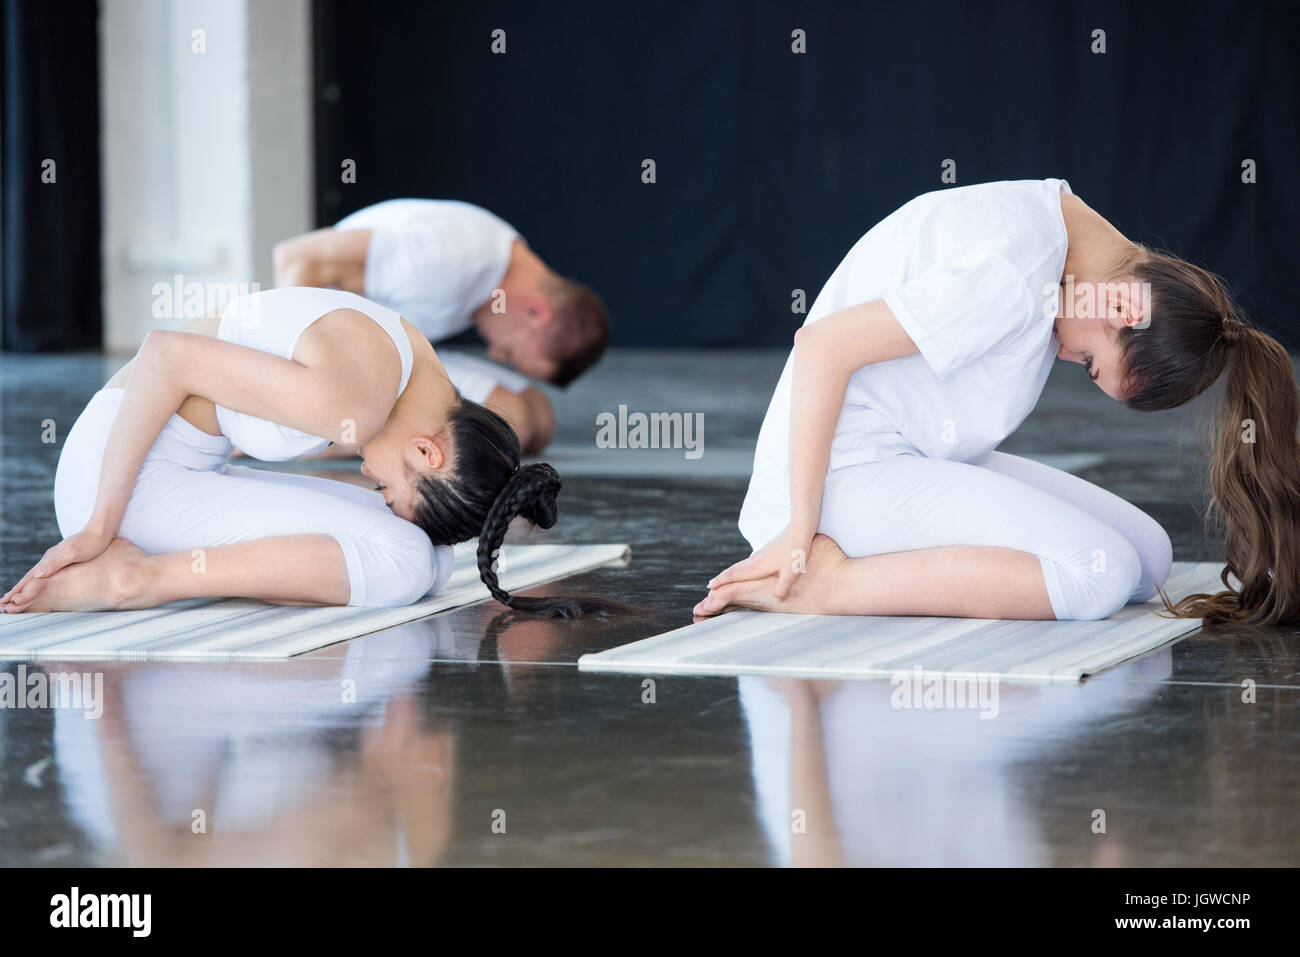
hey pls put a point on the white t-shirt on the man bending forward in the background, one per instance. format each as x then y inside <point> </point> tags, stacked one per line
<point>434,261</point>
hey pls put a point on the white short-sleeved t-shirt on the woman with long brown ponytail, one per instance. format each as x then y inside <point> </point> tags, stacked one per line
<point>972,276</point>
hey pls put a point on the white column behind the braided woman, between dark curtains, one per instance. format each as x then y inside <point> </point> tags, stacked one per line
<point>207,153</point>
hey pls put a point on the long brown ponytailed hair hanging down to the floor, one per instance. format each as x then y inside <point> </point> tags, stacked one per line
<point>1195,334</point>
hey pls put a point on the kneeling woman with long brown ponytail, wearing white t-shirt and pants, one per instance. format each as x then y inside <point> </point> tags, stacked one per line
<point>877,488</point>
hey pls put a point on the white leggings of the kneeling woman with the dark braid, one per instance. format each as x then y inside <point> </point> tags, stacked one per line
<point>189,497</point>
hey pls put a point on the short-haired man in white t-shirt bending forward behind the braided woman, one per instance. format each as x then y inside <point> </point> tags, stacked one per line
<point>449,266</point>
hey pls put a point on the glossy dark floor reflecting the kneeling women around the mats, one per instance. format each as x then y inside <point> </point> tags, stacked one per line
<point>471,738</point>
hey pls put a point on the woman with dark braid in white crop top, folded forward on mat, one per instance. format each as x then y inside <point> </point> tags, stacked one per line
<point>153,512</point>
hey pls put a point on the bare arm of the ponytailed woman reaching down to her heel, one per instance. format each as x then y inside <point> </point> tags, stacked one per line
<point>826,354</point>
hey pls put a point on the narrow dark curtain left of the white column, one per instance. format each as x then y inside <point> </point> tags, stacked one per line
<point>51,231</point>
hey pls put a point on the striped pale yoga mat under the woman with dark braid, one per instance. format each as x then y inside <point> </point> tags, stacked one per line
<point>241,629</point>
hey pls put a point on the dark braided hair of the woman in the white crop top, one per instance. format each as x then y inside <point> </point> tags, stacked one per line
<point>486,491</point>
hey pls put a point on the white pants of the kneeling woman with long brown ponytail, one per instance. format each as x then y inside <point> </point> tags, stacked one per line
<point>1098,552</point>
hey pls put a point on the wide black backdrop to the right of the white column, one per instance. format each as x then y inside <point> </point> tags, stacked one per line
<point>772,164</point>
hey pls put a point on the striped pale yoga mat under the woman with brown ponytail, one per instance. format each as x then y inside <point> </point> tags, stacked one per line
<point>844,647</point>
